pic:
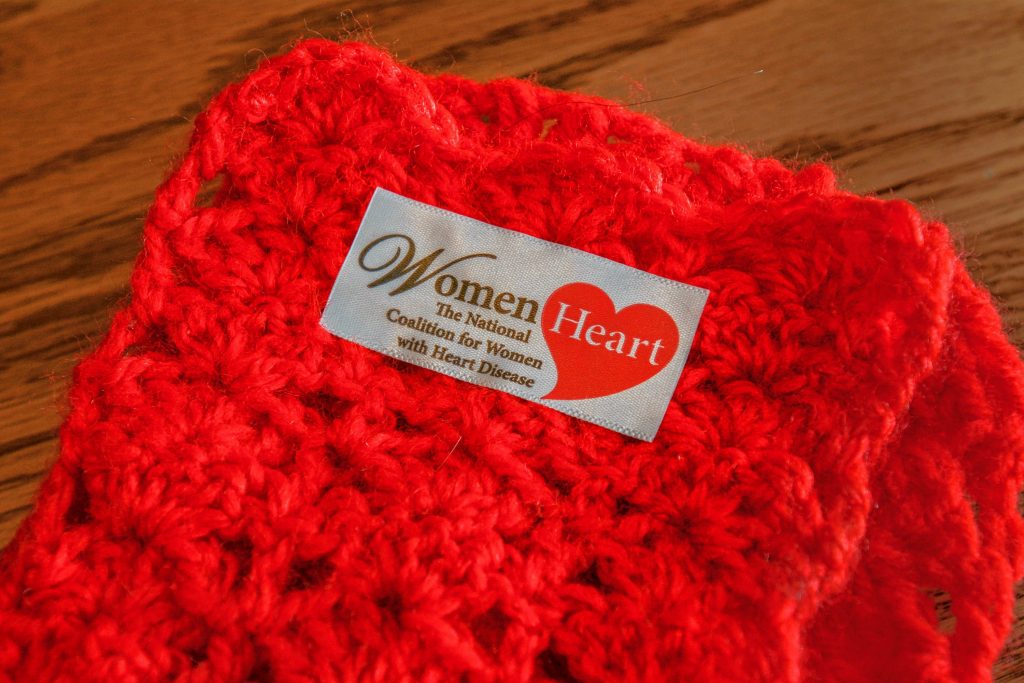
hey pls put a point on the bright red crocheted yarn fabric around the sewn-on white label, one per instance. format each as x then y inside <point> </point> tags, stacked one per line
<point>242,496</point>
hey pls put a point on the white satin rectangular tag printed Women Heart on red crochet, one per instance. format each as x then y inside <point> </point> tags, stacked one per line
<point>579,333</point>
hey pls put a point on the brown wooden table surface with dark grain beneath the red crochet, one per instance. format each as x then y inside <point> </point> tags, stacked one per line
<point>923,101</point>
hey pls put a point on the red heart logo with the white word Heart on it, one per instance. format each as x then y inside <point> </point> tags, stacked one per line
<point>599,352</point>
